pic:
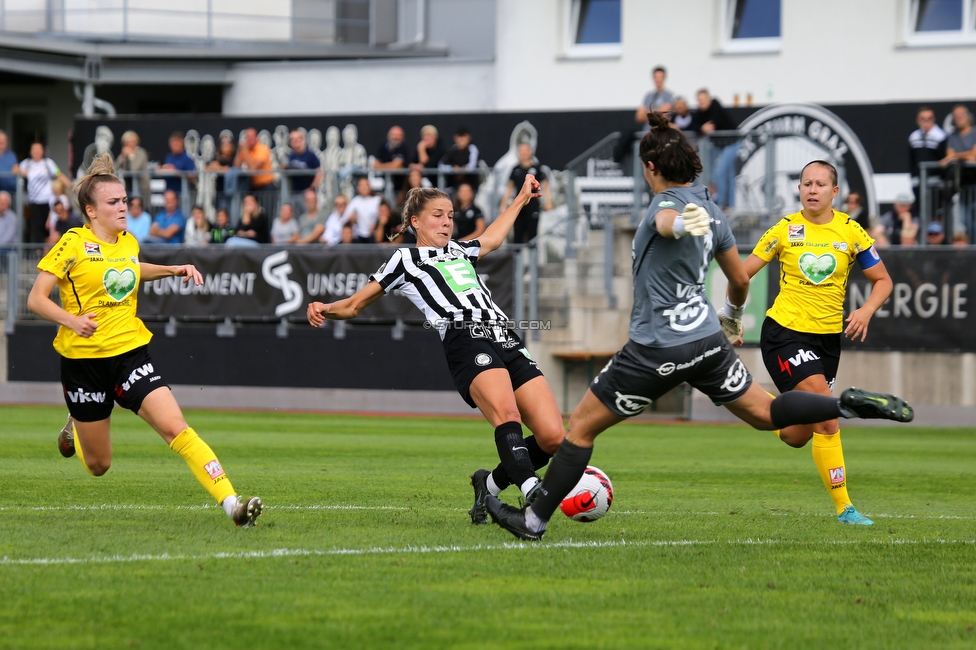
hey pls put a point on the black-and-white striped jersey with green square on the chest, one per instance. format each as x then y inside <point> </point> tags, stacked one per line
<point>442,283</point>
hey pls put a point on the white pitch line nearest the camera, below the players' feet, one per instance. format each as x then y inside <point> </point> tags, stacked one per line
<point>301,552</point>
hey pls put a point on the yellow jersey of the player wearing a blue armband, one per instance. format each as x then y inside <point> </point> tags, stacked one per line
<point>814,264</point>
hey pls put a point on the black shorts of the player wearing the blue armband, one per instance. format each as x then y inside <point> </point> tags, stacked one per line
<point>792,356</point>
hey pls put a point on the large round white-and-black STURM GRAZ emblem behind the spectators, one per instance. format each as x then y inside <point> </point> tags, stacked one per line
<point>779,140</point>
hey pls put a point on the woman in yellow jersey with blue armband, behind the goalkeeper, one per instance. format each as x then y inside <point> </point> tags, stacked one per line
<point>801,335</point>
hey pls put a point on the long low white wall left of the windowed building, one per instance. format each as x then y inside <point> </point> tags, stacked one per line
<point>389,86</point>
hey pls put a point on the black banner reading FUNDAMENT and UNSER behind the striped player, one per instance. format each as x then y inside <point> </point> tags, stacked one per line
<point>271,283</point>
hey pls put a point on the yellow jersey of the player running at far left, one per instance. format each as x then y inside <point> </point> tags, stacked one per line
<point>102,279</point>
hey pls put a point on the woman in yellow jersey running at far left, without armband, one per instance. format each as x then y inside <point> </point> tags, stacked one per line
<point>103,345</point>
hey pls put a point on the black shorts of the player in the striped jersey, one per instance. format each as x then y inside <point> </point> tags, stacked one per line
<point>474,348</point>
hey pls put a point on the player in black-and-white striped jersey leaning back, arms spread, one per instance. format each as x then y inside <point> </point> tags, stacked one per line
<point>492,369</point>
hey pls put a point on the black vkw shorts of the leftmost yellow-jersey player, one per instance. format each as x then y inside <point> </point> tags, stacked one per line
<point>91,386</point>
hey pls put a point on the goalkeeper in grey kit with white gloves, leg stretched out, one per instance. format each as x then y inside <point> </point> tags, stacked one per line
<point>676,336</point>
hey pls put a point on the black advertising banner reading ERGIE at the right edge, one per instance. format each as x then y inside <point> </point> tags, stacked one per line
<point>931,306</point>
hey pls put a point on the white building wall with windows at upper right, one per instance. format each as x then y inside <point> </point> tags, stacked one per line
<point>834,51</point>
